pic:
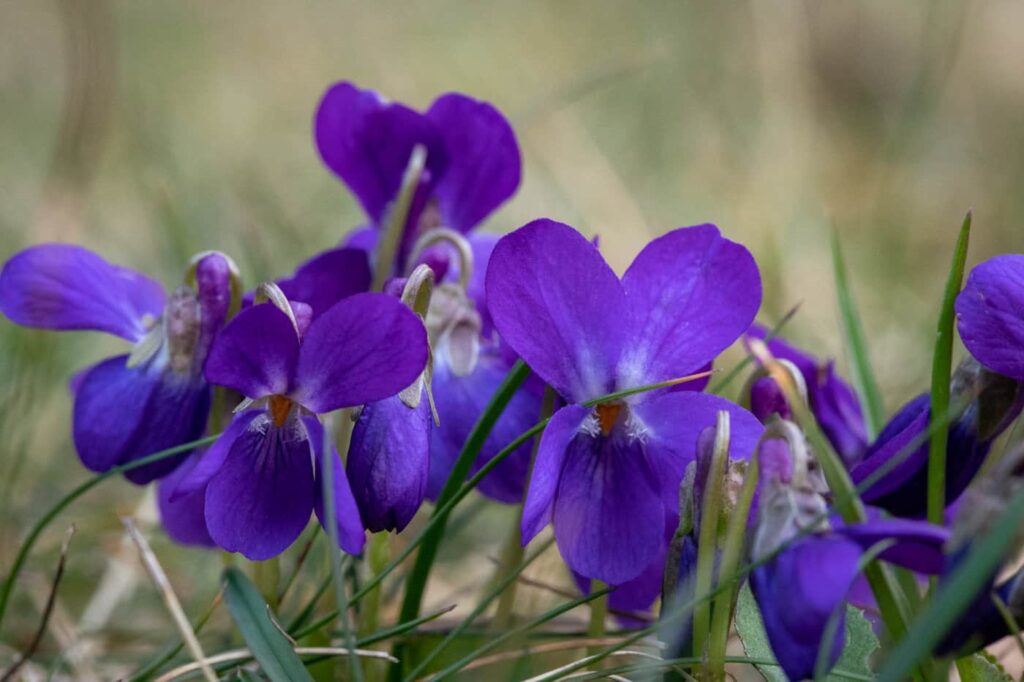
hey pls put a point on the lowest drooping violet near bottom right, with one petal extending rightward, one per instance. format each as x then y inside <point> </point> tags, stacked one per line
<point>805,587</point>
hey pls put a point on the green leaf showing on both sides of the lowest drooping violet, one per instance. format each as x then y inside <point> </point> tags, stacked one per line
<point>861,641</point>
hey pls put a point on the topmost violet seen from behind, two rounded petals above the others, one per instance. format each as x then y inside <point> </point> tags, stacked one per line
<point>473,163</point>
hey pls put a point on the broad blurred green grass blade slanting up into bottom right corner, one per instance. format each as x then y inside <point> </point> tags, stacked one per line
<point>955,594</point>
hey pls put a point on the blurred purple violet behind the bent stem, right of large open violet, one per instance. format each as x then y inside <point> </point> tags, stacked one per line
<point>832,400</point>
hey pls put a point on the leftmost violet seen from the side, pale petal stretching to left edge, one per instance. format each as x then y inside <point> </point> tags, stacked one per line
<point>126,407</point>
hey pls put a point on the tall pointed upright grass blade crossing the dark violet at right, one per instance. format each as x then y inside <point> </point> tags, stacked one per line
<point>942,371</point>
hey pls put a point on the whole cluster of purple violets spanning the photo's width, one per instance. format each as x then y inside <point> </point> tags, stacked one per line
<point>412,323</point>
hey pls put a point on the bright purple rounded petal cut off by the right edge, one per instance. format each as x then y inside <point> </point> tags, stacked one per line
<point>991,315</point>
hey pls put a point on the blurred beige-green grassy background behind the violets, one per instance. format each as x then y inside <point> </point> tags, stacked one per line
<point>149,132</point>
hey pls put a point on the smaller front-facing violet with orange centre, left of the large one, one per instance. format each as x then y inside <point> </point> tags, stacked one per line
<point>263,477</point>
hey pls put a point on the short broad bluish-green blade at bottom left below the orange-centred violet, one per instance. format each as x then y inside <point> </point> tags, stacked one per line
<point>267,643</point>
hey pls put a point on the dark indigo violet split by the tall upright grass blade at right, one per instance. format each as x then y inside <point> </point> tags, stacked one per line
<point>995,403</point>
